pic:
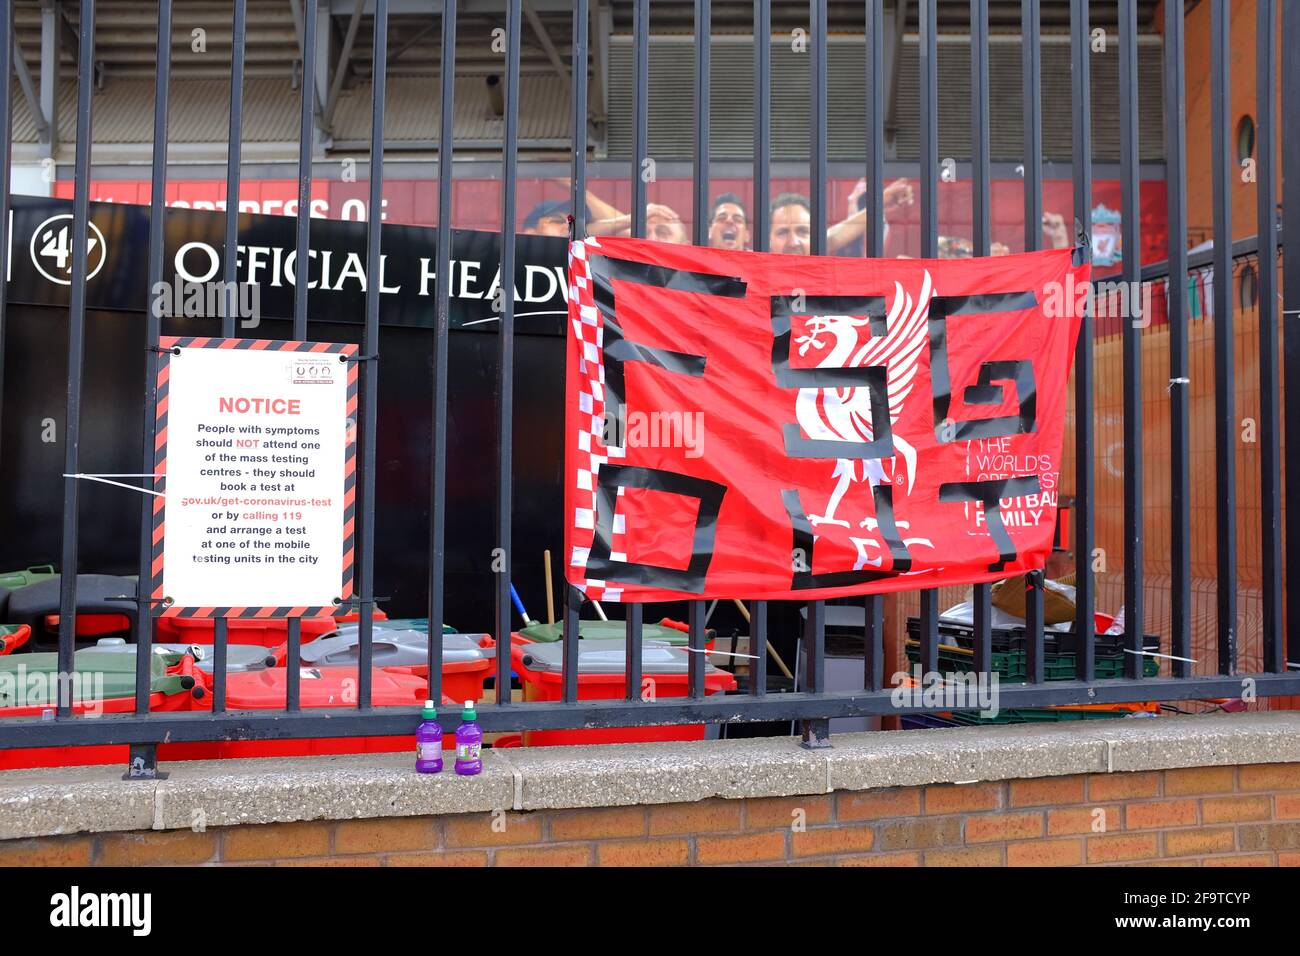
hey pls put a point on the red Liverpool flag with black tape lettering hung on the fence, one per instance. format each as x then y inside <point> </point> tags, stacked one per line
<point>744,425</point>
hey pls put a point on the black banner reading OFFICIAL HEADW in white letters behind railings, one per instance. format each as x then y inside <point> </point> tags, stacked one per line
<point>40,266</point>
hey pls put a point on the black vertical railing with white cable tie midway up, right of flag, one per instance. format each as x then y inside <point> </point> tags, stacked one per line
<point>1180,419</point>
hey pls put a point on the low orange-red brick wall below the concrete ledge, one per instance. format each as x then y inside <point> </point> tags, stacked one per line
<point>1202,816</point>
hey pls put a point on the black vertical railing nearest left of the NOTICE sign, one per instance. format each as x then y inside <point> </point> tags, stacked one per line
<point>76,354</point>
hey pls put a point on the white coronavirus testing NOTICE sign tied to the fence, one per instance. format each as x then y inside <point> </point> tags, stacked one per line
<point>255,447</point>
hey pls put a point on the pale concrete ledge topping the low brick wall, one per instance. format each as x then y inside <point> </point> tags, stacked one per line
<point>44,803</point>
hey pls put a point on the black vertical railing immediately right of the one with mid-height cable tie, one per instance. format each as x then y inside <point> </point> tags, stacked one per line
<point>1225,406</point>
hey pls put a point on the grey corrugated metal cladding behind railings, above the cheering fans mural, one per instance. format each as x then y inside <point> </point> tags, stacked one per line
<point>733,101</point>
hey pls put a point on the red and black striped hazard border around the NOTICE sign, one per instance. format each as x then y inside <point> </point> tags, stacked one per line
<point>167,344</point>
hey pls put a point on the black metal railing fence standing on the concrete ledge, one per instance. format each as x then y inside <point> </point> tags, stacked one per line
<point>812,706</point>
